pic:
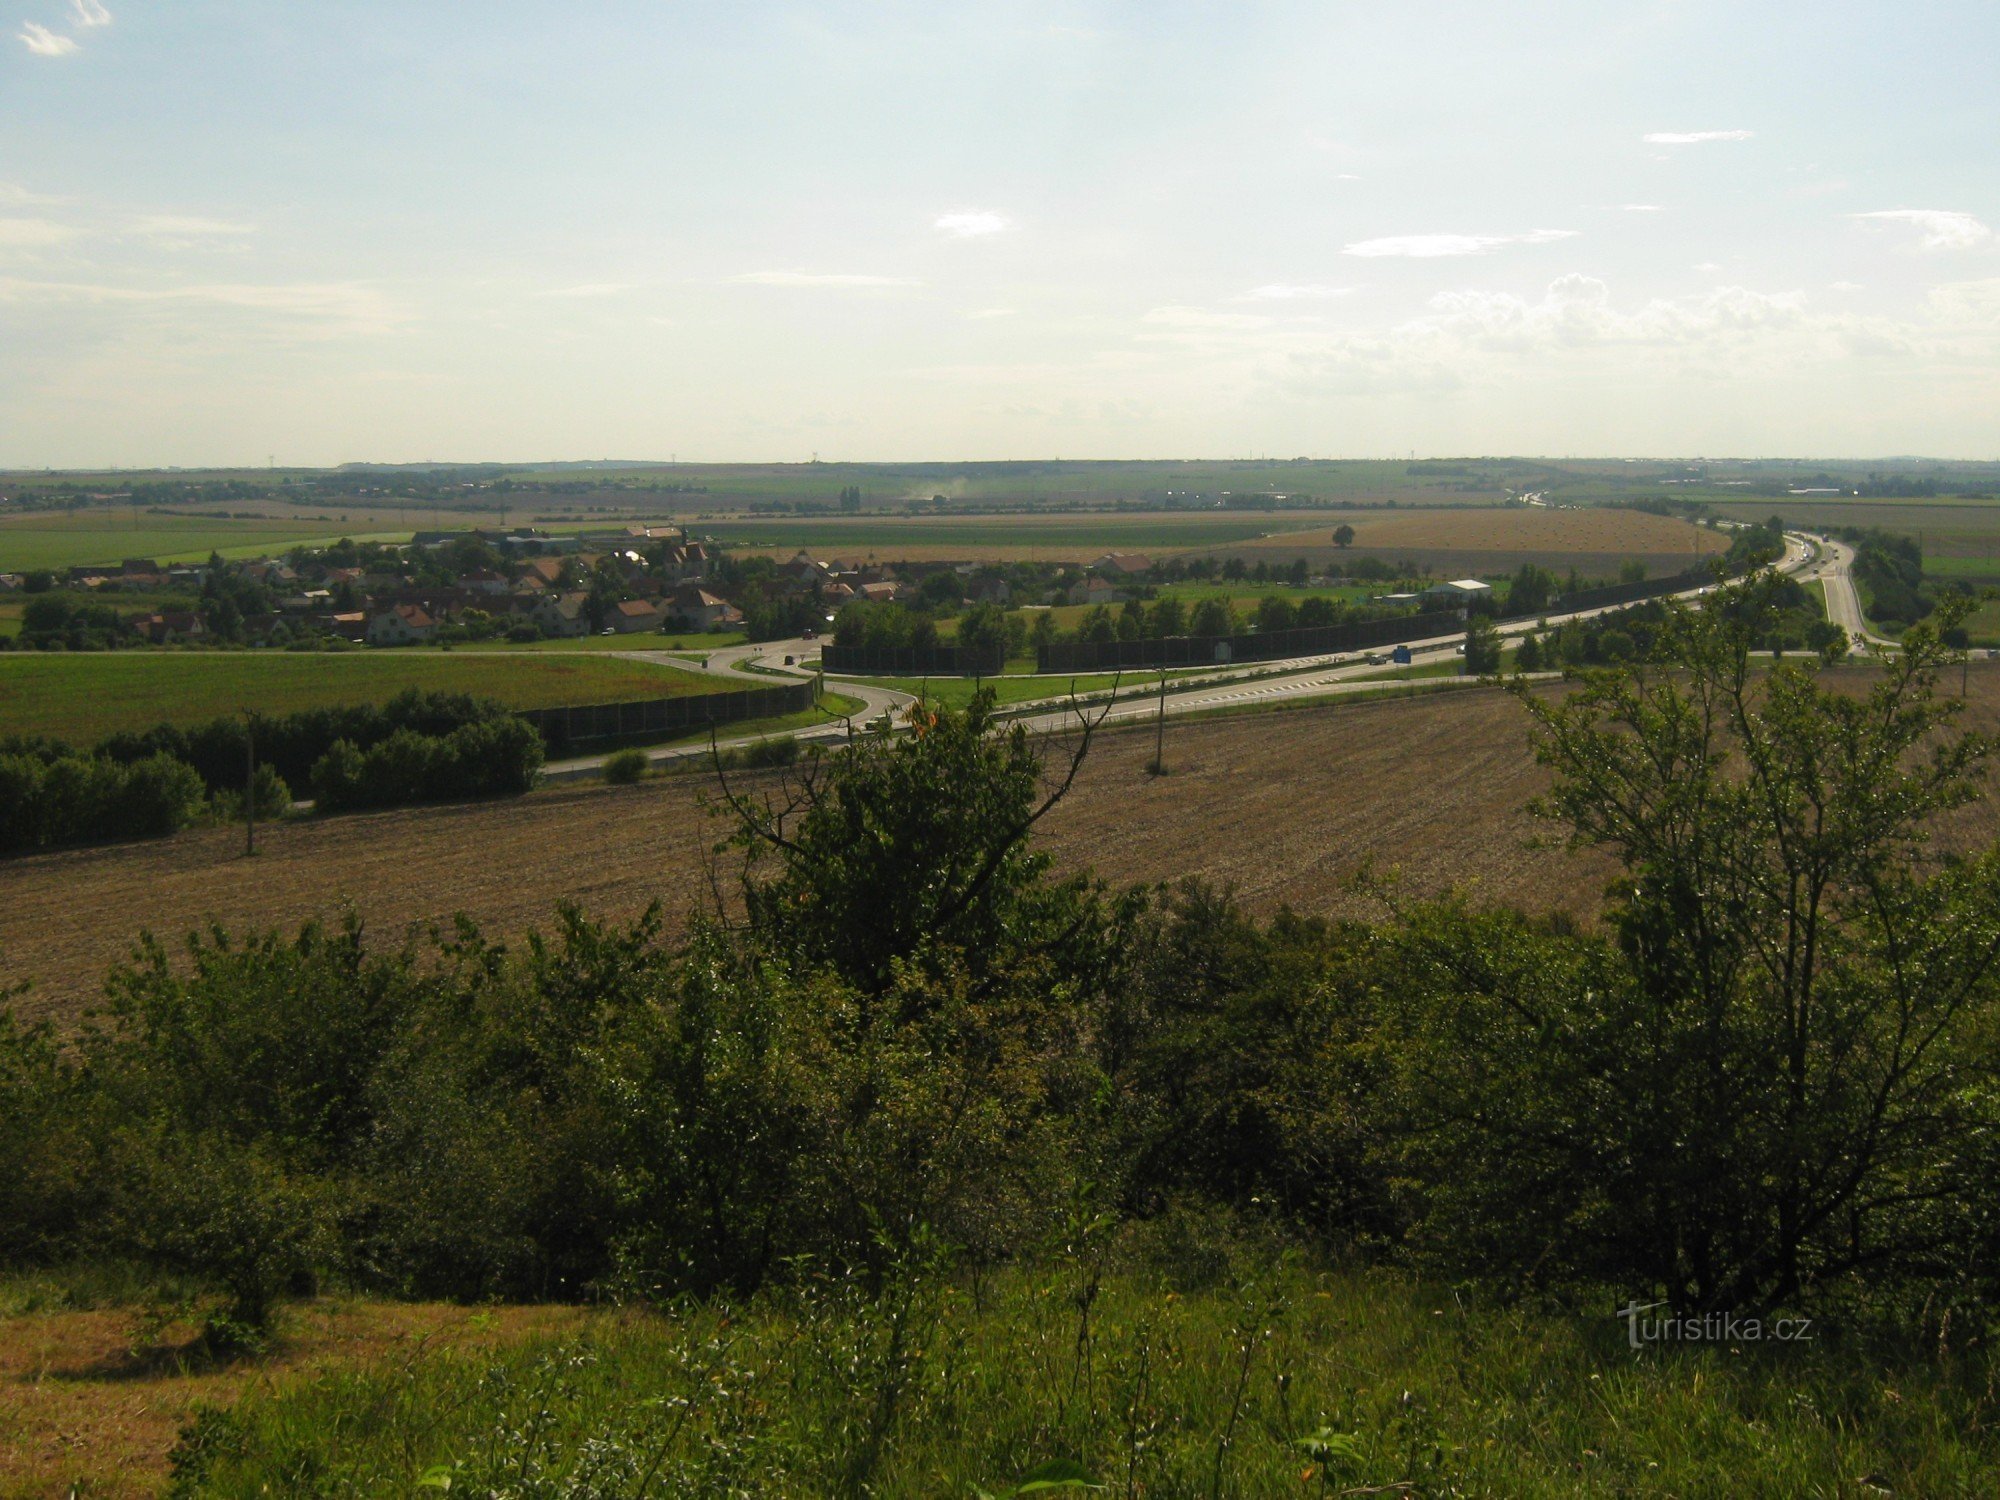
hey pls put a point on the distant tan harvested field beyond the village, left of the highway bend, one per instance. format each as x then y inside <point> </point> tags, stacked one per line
<point>1481,543</point>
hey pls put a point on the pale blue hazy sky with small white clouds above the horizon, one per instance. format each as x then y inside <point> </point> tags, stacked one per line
<point>247,231</point>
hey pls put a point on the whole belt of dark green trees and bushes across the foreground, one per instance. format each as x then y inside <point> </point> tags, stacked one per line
<point>1767,1083</point>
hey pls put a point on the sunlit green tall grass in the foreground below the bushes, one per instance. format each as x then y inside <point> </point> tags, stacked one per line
<point>1289,1383</point>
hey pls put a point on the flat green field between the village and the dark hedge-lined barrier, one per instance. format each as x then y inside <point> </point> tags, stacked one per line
<point>85,697</point>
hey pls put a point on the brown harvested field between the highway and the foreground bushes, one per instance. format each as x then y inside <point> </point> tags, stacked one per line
<point>1285,805</point>
